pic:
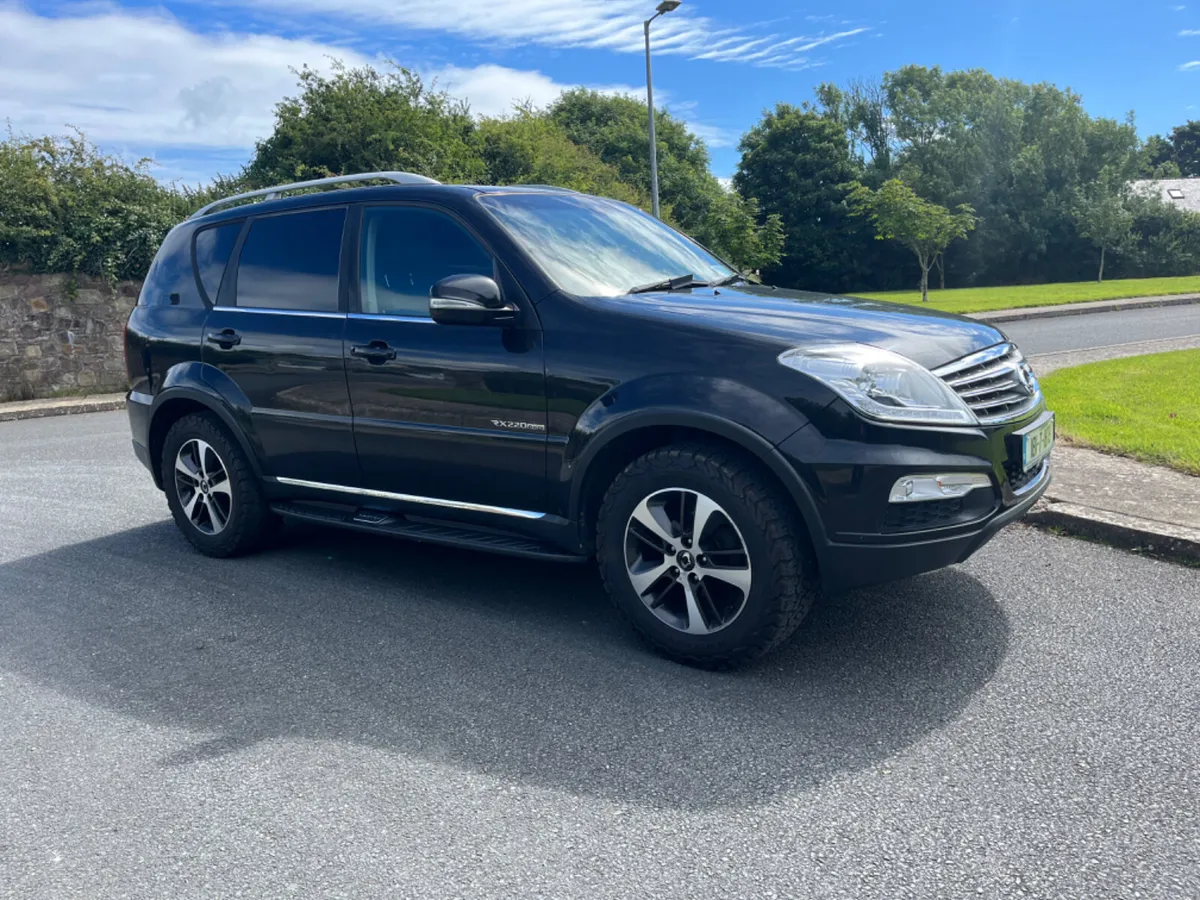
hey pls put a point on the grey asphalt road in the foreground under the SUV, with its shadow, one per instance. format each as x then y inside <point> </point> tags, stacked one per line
<point>350,718</point>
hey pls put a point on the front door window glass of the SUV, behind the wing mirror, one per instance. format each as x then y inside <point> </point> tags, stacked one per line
<point>406,250</point>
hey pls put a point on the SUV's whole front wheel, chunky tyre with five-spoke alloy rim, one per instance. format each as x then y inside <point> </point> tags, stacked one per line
<point>704,556</point>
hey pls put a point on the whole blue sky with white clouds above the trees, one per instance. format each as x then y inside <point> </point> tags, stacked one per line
<point>193,85</point>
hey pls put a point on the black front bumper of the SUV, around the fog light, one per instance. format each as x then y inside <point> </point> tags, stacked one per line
<point>848,467</point>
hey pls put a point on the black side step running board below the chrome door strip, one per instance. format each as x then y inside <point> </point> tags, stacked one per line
<point>398,526</point>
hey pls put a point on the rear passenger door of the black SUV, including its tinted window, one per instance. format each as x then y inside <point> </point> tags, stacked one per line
<point>278,332</point>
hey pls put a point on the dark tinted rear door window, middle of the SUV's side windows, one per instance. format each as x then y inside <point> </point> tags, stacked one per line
<point>291,262</point>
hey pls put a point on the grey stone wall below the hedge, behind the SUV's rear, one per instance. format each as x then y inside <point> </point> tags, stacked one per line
<point>62,335</point>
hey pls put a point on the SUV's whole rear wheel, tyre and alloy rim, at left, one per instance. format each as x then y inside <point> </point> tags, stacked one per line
<point>212,489</point>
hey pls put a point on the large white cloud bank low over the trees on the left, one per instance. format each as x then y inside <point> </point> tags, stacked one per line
<point>145,83</point>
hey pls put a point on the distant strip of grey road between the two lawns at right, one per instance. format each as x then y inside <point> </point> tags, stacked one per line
<point>1103,329</point>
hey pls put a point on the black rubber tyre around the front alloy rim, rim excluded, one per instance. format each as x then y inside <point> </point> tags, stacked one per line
<point>783,589</point>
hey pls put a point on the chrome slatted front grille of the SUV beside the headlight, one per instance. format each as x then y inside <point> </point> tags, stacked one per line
<point>997,383</point>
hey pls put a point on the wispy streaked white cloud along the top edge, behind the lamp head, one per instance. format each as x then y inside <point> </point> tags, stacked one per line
<point>597,25</point>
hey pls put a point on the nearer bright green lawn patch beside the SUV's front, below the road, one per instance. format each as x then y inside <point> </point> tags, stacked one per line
<point>1145,407</point>
